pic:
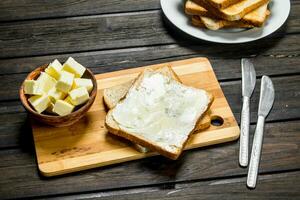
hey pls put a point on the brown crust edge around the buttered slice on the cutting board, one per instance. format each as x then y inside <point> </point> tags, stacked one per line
<point>114,128</point>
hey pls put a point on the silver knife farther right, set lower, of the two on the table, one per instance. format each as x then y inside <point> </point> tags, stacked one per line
<point>266,101</point>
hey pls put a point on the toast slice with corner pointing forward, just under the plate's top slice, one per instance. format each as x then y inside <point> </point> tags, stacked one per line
<point>234,12</point>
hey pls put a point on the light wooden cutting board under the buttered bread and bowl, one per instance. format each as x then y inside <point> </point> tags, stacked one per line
<point>87,144</point>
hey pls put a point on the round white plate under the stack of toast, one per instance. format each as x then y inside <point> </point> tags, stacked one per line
<point>174,11</point>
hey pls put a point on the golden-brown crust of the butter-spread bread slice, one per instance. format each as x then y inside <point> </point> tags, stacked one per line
<point>113,127</point>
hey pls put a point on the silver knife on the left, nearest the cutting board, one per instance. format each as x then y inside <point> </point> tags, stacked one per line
<point>248,85</point>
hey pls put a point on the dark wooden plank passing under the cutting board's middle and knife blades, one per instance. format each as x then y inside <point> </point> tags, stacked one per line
<point>286,106</point>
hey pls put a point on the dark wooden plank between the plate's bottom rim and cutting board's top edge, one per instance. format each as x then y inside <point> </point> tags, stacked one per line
<point>270,54</point>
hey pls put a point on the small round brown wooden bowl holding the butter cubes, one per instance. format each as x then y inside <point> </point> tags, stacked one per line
<point>53,120</point>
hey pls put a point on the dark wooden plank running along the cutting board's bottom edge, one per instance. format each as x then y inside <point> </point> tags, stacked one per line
<point>19,177</point>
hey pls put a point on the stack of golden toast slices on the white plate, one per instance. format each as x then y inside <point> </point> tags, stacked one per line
<point>217,14</point>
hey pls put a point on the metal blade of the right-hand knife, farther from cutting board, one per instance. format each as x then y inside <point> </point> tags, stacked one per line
<point>267,95</point>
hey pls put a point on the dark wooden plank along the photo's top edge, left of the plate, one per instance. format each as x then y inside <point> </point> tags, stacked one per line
<point>34,9</point>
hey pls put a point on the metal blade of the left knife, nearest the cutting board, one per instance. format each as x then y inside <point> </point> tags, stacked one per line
<point>248,77</point>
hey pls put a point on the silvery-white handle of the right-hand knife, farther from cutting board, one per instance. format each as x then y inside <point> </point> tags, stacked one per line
<point>256,152</point>
